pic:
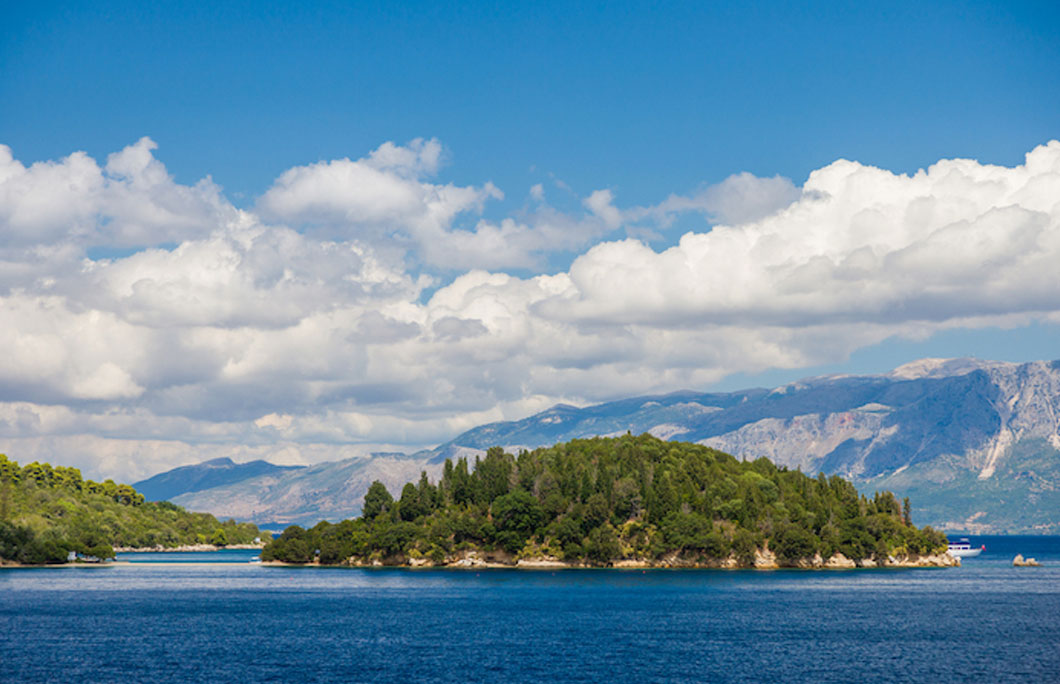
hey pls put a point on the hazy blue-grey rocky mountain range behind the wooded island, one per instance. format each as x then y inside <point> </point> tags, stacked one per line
<point>975,444</point>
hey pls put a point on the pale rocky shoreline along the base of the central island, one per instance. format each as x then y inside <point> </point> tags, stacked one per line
<point>764,560</point>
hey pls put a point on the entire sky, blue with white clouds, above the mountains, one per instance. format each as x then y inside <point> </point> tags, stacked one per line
<point>305,232</point>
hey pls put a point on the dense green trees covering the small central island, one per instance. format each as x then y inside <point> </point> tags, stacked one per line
<point>598,501</point>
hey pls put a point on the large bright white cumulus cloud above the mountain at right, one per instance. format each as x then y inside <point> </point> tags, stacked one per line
<point>957,240</point>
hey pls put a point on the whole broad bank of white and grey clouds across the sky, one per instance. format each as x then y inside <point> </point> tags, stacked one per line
<point>364,305</point>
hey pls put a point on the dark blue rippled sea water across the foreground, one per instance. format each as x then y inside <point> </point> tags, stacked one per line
<point>216,618</point>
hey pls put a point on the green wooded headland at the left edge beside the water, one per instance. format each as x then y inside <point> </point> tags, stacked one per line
<point>46,513</point>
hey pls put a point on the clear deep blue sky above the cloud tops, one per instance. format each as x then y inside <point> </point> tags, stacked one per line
<point>633,97</point>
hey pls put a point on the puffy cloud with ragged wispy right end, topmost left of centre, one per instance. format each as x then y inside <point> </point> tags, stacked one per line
<point>386,199</point>
